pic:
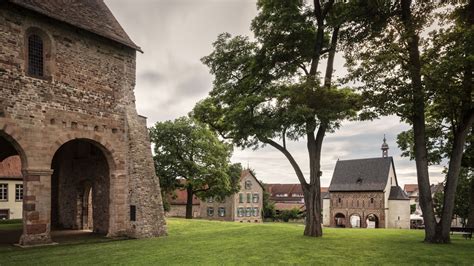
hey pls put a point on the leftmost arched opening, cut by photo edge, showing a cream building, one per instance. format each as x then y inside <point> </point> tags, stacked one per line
<point>11,190</point>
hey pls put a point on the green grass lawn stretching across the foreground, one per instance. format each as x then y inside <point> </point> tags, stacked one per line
<point>208,242</point>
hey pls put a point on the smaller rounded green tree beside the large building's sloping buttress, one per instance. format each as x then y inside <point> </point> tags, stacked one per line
<point>189,156</point>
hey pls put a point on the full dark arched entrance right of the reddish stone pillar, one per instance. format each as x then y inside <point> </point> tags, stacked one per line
<point>80,187</point>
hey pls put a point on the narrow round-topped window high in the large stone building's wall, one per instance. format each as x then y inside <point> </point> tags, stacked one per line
<point>35,55</point>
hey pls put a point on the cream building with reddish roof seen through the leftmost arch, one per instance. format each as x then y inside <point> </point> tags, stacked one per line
<point>11,189</point>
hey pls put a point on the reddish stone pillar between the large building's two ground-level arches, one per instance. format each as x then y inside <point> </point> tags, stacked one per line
<point>36,207</point>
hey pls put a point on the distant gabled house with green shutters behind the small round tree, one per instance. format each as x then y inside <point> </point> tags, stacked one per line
<point>243,206</point>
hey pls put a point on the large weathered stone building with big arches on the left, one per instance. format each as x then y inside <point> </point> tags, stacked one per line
<point>67,109</point>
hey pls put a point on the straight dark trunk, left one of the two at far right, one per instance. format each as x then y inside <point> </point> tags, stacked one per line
<point>418,120</point>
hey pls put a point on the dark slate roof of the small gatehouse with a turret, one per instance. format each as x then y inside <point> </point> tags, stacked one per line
<point>361,174</point>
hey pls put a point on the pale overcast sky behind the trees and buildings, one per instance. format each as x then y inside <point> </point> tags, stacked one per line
<point>175,34</point>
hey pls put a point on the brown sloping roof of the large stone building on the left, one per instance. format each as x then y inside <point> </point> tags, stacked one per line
<point>90,15</point>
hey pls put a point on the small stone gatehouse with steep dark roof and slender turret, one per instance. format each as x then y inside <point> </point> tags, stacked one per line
<point>365,193</point>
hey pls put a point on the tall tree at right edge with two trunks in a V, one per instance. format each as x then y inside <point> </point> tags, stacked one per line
<point>425,79</point>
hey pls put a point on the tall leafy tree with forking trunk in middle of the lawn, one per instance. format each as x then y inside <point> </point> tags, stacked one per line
<point>270,89</point>
